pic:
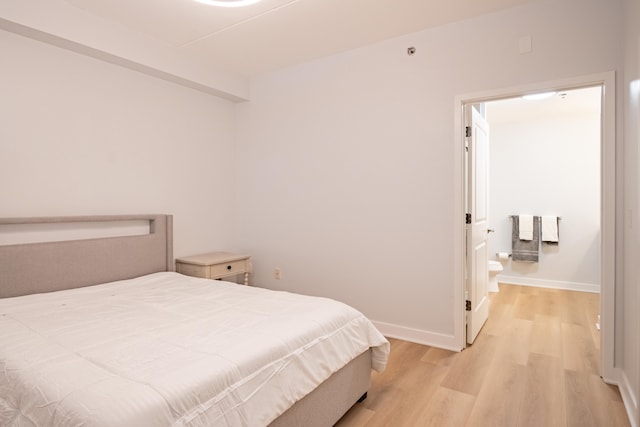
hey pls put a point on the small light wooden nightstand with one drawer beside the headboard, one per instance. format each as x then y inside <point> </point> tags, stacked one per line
<point>215,265</point>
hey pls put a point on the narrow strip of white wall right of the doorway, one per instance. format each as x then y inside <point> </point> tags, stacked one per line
<point>629,294</point>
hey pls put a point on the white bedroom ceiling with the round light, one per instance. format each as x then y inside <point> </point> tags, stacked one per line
<point>273,34</point>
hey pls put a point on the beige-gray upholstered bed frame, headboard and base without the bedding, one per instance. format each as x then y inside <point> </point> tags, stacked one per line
<point>29,268</point>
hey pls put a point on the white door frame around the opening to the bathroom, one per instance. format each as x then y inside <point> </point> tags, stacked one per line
<point>607,203</point>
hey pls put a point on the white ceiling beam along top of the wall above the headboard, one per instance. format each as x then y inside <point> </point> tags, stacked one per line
<point>59,24</point>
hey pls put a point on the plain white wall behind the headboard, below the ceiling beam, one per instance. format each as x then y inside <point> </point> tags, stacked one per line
<point>80,136</point>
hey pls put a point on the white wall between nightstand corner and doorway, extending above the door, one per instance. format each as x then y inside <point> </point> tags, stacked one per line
<point>352,157</point>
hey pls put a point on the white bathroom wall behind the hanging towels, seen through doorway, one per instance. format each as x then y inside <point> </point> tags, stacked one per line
<point>548,165</point>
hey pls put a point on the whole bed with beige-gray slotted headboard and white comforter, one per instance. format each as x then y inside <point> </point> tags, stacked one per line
<point>102,332</point>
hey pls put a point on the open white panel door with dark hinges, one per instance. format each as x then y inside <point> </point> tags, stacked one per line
<point>476,293</point>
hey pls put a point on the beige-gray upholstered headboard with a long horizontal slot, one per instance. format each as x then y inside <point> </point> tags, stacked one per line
<point>50,266</point>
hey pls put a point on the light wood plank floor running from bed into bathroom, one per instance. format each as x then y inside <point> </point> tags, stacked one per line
<point>534,364</point>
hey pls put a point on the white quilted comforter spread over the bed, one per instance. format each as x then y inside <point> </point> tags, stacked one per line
<point>171,350</point>
